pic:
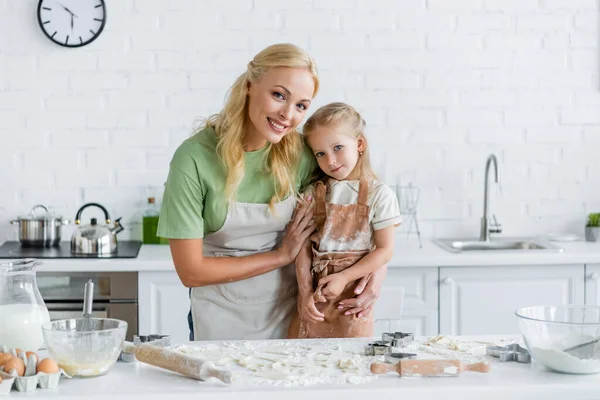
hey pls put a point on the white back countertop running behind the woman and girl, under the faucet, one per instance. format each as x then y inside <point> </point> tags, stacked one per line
<point>407,254</point>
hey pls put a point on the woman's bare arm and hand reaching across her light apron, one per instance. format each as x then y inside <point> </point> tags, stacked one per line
<point>194,269</point>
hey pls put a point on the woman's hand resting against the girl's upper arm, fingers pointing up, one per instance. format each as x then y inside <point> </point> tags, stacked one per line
<point>297,231</point>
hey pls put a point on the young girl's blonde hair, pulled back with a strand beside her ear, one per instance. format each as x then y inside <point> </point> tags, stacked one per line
<point>342,113</point>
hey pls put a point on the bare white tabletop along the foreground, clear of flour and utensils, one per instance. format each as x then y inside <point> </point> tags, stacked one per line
<point>505,381</point>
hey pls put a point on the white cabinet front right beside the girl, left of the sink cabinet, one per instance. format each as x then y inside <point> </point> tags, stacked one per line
<point>418,311</point>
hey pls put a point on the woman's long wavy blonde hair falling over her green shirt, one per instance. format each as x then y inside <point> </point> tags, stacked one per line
<point>230,124</point>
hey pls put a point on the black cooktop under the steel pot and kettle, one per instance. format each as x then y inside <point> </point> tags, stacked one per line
<point>125,249</point>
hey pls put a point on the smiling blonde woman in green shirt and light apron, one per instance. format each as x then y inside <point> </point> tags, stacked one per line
<point>229,196</point>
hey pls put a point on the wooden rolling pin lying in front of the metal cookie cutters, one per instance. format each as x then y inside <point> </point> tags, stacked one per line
<point>429,367</point>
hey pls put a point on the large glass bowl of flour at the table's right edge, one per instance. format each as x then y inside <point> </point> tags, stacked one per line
<point>551,333</point>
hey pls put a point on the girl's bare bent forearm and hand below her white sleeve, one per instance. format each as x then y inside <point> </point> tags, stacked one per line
<point>384,250</point>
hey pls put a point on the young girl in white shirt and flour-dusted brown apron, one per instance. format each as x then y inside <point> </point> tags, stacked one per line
<point>355,215</point>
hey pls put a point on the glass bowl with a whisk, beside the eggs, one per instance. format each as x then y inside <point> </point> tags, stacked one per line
<point>85,350</point>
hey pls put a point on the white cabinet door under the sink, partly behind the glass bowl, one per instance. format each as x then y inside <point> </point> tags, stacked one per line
<point>482,300</point>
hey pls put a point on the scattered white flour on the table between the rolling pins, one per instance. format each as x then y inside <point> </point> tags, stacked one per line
<point>291,363</point>
